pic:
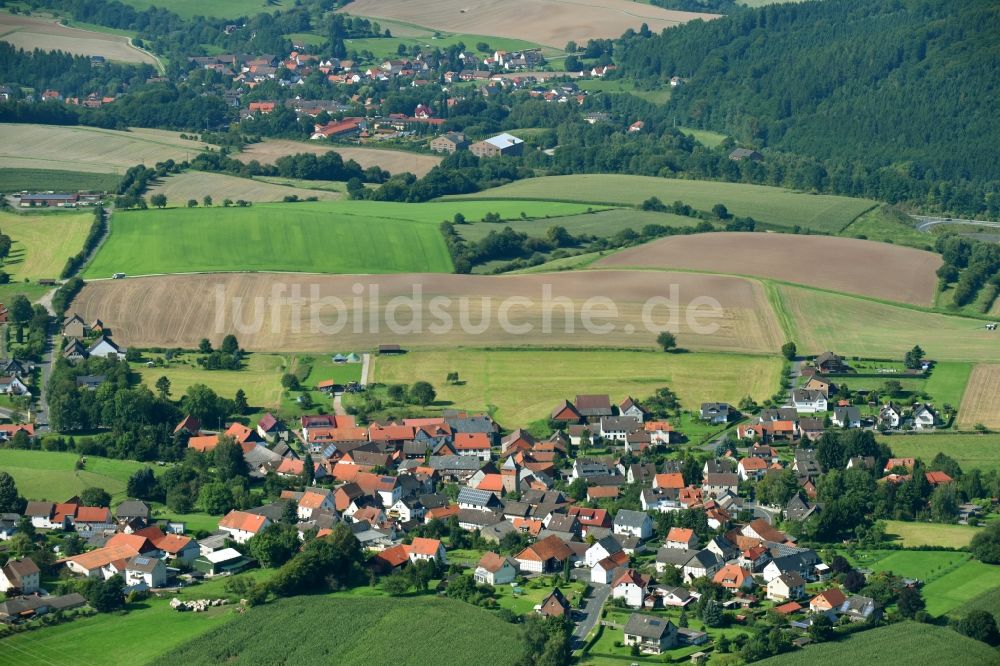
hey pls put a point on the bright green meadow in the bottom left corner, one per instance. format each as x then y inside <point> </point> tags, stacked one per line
<point>112,638</point>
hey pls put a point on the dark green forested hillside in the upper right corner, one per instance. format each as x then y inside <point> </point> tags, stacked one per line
<point>906,84</point>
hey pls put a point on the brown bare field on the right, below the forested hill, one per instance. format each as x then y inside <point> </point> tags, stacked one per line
<point>855,266</point>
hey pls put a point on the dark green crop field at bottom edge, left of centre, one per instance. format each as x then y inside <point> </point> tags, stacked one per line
<point>354,634</point>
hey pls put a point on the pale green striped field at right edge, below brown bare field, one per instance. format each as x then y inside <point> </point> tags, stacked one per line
<point>822,321</point>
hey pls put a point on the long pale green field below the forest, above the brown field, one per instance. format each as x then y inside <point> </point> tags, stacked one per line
<point>768,205</point>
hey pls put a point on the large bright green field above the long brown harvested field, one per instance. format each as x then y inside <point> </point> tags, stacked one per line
<point>323,237</point>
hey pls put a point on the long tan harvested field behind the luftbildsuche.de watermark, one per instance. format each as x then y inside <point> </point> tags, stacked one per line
<point>177,311</point>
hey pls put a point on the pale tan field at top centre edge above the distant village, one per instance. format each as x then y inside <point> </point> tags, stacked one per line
<point>549,22</point>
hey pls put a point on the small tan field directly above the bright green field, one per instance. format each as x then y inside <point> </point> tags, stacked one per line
<point>196,184</point>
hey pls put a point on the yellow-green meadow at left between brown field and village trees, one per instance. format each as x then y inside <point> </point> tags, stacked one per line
<point>260,379</point>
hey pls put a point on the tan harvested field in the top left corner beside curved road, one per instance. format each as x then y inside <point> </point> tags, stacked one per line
<point>31,32</point>
